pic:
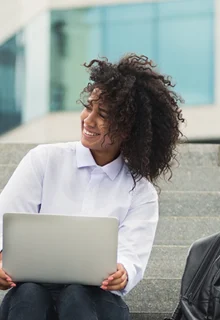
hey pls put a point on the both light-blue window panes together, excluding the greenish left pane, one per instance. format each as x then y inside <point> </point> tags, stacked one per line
<point>177,35</point>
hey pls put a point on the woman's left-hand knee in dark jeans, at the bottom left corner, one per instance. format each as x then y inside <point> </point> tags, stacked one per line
<point>27,301</point>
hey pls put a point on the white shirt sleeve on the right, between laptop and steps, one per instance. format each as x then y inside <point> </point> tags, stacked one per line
<point>136,234</point>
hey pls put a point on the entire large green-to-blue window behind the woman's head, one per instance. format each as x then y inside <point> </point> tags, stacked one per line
<point>177,35</point>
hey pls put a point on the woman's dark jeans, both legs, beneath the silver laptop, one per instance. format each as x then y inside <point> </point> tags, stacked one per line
<point>64,302</point>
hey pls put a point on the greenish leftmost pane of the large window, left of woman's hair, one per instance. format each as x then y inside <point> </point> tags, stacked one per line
<point>75,39</point>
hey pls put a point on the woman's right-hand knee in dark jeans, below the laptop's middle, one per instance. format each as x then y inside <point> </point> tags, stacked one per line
<point>75,303</point>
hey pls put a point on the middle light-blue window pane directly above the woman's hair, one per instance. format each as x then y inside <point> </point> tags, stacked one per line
<point>129,28</point>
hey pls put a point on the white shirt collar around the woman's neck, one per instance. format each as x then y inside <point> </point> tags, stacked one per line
<point>84,159</point>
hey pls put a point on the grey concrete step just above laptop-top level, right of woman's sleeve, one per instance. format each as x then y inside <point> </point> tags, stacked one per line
<point>189,203</point>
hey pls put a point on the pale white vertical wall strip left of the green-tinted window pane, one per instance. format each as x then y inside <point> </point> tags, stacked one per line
<point>37,68</point>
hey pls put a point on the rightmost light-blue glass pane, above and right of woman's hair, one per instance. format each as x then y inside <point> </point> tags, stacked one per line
<point>185,48</point>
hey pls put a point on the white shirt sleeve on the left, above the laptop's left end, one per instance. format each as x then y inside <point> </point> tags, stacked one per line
<point>23,190</point>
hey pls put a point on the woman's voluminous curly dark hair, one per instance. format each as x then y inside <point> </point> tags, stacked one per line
<point>142,108</point>
